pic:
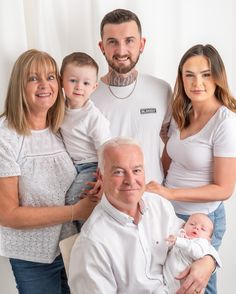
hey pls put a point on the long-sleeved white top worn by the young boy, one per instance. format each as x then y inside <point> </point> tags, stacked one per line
<point>84,130</point>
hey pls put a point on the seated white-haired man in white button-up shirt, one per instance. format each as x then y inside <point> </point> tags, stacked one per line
<point>122,248</point>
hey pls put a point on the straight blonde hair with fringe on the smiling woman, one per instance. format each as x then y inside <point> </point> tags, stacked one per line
<point>16,107</point>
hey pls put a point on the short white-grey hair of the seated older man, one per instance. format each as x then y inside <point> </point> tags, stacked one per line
<point>114,142</point>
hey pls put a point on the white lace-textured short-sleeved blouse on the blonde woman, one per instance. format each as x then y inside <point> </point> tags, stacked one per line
<point>45,172</point>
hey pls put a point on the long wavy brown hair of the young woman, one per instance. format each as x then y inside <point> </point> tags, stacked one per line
<point>181,103</point>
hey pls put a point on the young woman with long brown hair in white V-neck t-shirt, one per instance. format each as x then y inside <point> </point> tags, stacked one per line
<point>200,155</point>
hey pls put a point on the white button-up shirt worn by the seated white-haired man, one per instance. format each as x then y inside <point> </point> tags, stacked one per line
<point>113,255</point>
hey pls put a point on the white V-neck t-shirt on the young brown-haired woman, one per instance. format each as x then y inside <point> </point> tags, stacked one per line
<point>192,158</point>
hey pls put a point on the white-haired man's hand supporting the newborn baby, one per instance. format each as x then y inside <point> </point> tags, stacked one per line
<point>194,278</point>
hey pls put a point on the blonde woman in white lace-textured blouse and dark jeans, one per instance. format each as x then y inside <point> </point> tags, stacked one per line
<point>35,173</point>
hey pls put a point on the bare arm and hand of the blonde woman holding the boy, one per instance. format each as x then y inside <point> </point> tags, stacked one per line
<point>21,217</point>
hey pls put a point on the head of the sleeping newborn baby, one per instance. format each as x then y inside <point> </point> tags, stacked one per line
<point>199,225</point>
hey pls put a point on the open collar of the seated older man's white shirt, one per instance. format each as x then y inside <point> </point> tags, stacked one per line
<point>118,215</point>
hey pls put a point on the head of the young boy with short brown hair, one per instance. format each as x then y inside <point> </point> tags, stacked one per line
<point>79,73</point>
